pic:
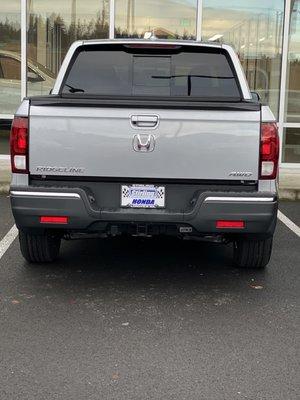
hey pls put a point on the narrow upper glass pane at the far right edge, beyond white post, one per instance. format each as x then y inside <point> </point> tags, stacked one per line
<point>293,81</point>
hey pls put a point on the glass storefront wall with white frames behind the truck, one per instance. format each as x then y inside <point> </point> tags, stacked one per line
<point>263,32</point>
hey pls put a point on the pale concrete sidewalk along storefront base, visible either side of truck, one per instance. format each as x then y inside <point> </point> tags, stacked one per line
<point>289,181</point>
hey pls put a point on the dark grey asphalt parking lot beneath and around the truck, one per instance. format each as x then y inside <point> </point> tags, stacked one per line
<point>150,319</point>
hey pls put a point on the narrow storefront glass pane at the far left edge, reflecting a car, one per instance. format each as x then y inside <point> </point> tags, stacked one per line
<point>10,47</point>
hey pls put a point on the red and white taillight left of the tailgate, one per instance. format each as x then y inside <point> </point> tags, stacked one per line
<point>19,145</point>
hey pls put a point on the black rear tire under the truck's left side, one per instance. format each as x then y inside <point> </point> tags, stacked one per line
<point>39,248</point>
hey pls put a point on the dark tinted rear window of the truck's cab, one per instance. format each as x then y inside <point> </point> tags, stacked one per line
<point>172,72</point>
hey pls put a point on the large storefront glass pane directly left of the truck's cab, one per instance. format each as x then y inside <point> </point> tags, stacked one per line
<point>51,33</point>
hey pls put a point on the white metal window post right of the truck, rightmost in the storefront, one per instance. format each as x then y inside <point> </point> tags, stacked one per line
<point>284,69</point>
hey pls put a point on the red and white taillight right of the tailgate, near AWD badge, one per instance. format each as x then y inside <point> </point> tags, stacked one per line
<point>269,150</point>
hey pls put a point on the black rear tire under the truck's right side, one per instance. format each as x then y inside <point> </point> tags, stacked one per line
<point>252,253</point>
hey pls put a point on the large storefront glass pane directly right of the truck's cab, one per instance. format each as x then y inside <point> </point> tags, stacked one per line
<point>254,28</point>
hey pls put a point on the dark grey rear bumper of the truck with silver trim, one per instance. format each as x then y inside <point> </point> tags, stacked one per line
<point>257,210</point>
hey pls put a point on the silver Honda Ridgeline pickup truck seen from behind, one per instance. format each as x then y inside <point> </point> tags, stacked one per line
<point>146,138</point>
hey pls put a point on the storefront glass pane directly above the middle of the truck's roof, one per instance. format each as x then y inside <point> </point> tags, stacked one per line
<point>168,19</point>
